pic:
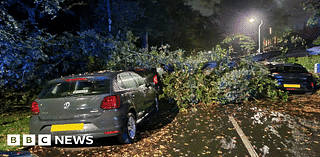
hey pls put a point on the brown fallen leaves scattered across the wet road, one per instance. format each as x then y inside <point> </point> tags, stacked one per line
<point>205,131</point>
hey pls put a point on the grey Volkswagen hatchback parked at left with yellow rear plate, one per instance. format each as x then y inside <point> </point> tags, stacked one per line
<point>100,105</point>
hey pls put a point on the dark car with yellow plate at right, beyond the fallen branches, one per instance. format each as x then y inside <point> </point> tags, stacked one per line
<point>293,78</point>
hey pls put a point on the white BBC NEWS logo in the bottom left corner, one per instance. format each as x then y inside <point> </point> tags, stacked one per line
<point>45,140</point>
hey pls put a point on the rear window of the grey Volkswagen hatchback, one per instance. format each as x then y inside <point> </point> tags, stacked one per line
<point>74,88</point>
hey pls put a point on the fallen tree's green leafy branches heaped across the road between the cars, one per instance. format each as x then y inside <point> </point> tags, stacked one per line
<point>225,84</point>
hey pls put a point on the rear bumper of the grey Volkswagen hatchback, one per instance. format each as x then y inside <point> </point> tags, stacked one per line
<point>107,124</point>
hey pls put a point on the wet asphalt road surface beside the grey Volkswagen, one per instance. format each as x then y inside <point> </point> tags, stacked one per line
<point>209,131</point>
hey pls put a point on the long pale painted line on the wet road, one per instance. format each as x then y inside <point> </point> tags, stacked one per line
<point>244,138</point>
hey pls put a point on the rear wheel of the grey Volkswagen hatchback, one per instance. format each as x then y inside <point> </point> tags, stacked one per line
<point>130,130</point>
